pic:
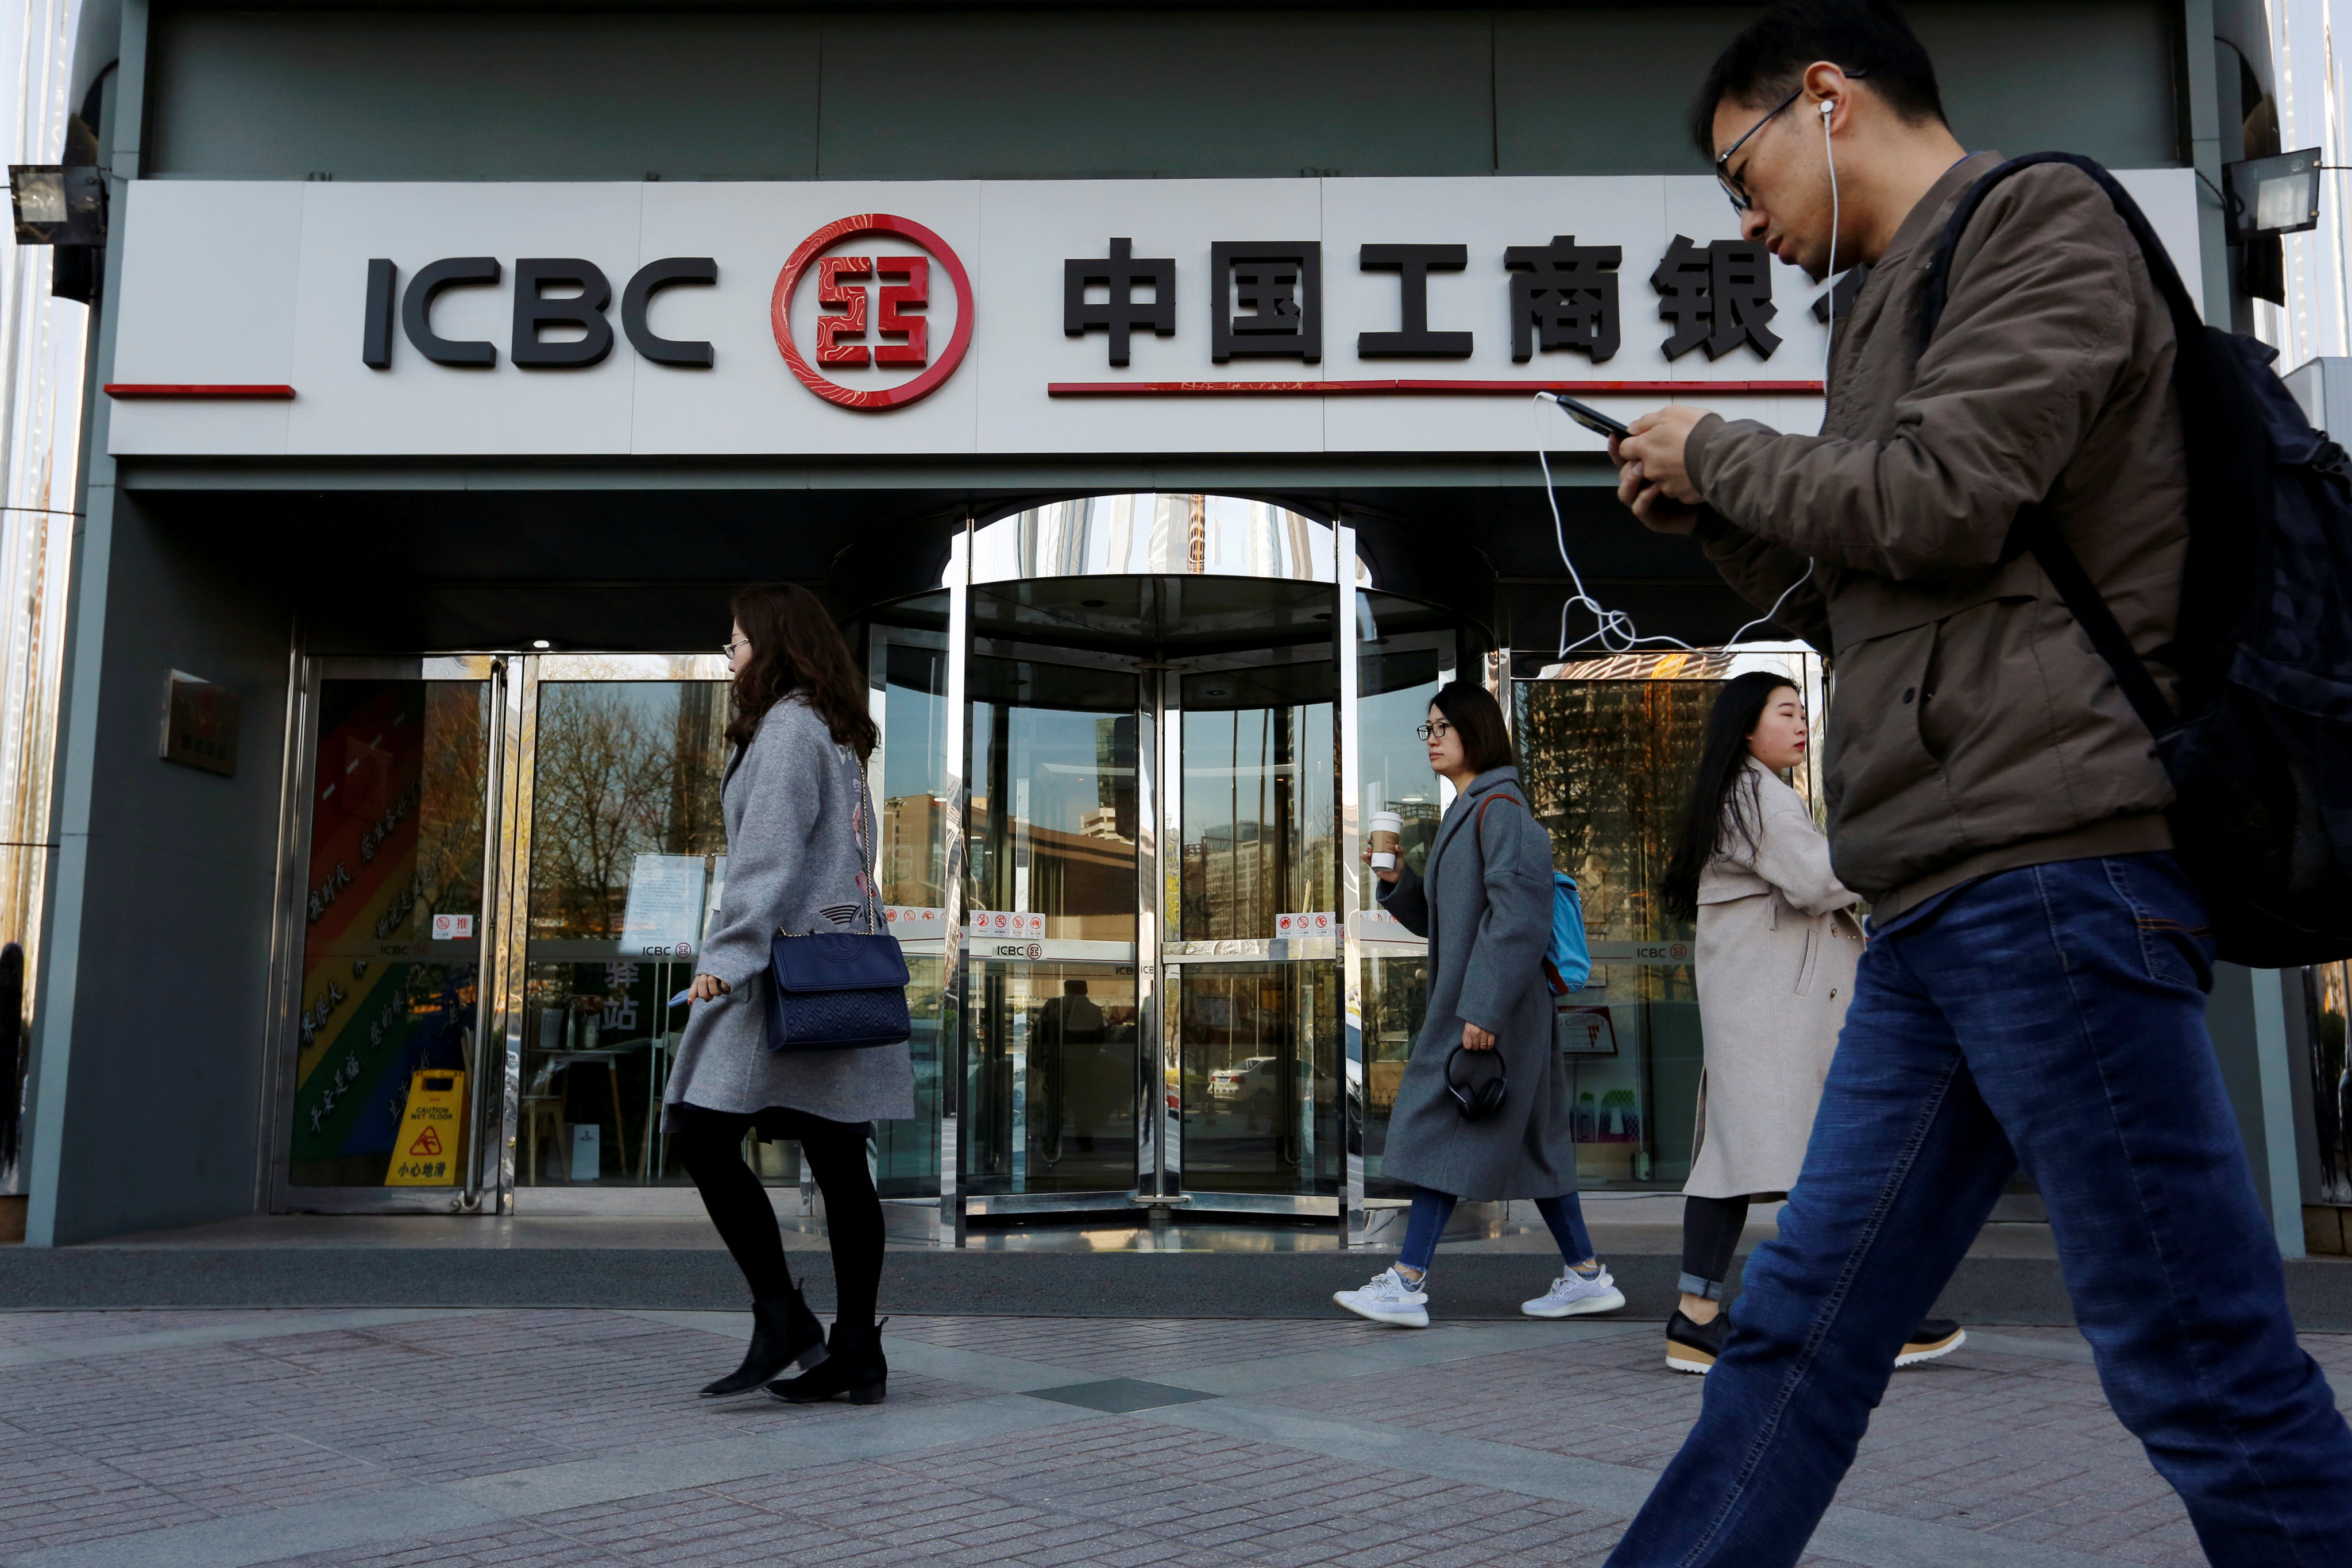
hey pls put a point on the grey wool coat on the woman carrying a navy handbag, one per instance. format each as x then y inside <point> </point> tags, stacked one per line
<point>796,805</point>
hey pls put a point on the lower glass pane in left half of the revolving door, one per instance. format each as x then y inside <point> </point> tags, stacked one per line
<point>1055,1078</point>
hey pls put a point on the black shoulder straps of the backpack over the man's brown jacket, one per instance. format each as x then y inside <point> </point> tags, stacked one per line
<point>2036,530</point>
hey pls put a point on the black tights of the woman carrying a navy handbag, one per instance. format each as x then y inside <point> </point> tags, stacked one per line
<point>711,1148</point>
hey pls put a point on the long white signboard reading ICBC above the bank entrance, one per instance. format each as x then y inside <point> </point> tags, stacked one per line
<point>683,319</point>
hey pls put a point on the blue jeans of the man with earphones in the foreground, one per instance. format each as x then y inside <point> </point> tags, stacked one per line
<point>2050,1017</point>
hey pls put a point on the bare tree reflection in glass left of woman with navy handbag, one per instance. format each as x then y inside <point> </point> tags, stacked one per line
<point>624,770</point>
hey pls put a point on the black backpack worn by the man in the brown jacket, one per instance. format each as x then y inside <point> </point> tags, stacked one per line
<point>2261,751</point>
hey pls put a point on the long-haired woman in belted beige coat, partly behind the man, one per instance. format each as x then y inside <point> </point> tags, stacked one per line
<point>1777,951</point>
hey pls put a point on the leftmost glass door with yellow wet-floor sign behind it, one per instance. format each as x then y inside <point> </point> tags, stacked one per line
<point>380,1057</point>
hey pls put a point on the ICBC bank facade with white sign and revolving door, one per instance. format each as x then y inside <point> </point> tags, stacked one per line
<point>1154,396</point>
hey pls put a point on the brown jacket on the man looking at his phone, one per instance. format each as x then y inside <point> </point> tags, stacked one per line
<point>1972,728</point>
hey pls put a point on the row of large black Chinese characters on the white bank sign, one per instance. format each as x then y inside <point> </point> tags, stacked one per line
<point>1267,300</point>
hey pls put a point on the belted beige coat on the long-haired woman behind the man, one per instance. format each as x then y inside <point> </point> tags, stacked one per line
<point>1777,956</point>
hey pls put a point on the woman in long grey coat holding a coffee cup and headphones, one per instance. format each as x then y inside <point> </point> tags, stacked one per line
<point>1485,906</point>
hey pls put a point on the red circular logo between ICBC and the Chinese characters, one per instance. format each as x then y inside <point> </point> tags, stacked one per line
<point>848,337</point>
